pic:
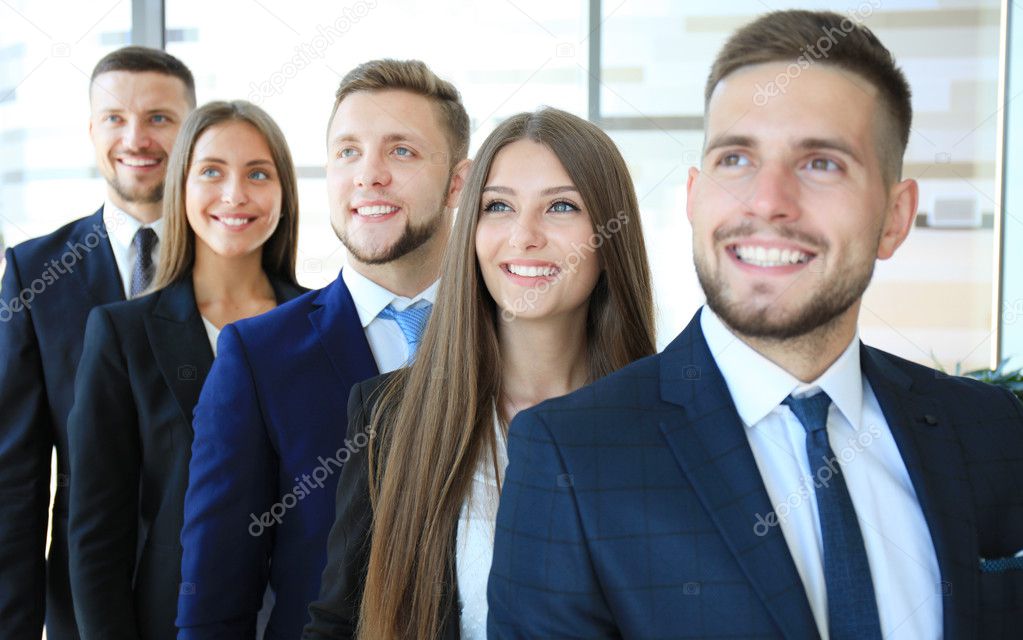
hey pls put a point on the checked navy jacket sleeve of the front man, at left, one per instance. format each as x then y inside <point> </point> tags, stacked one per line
<point>543,584</point>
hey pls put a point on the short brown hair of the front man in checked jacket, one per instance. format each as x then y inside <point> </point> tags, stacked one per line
<point>806,38</point>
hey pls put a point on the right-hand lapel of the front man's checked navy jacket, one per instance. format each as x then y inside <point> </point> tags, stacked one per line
<point>933,459</point>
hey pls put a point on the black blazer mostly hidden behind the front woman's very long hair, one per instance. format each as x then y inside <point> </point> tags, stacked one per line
<point>336,613</point>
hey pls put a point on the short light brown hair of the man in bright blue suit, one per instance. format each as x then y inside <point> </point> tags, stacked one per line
<point>416,77</point>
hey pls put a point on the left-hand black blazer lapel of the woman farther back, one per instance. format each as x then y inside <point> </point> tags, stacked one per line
<point>181,344</point>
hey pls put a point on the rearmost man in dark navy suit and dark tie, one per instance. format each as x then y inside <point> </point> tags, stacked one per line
<point>139,99</point>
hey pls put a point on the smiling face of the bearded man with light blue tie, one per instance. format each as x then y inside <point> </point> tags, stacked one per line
<point>388,176</point>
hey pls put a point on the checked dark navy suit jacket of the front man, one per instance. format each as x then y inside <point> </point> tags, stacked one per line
<point>629,509</point>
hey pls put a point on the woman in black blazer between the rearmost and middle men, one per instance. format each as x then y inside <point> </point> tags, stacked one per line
<point>229,252</point>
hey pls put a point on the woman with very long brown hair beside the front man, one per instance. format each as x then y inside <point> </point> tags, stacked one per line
<point>546,288</point>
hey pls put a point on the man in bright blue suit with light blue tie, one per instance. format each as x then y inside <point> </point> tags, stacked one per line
<point>272,419</point>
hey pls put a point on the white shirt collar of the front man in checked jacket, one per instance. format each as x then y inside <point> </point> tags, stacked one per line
<point>759,386</point>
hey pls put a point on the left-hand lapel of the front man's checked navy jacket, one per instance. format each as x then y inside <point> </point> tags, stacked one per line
<point>708,441</point>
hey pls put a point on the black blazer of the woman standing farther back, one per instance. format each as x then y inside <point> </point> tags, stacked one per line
<point>143,368</point>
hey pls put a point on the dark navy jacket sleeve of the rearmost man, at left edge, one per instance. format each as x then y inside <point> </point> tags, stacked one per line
<point>26,446</point>
